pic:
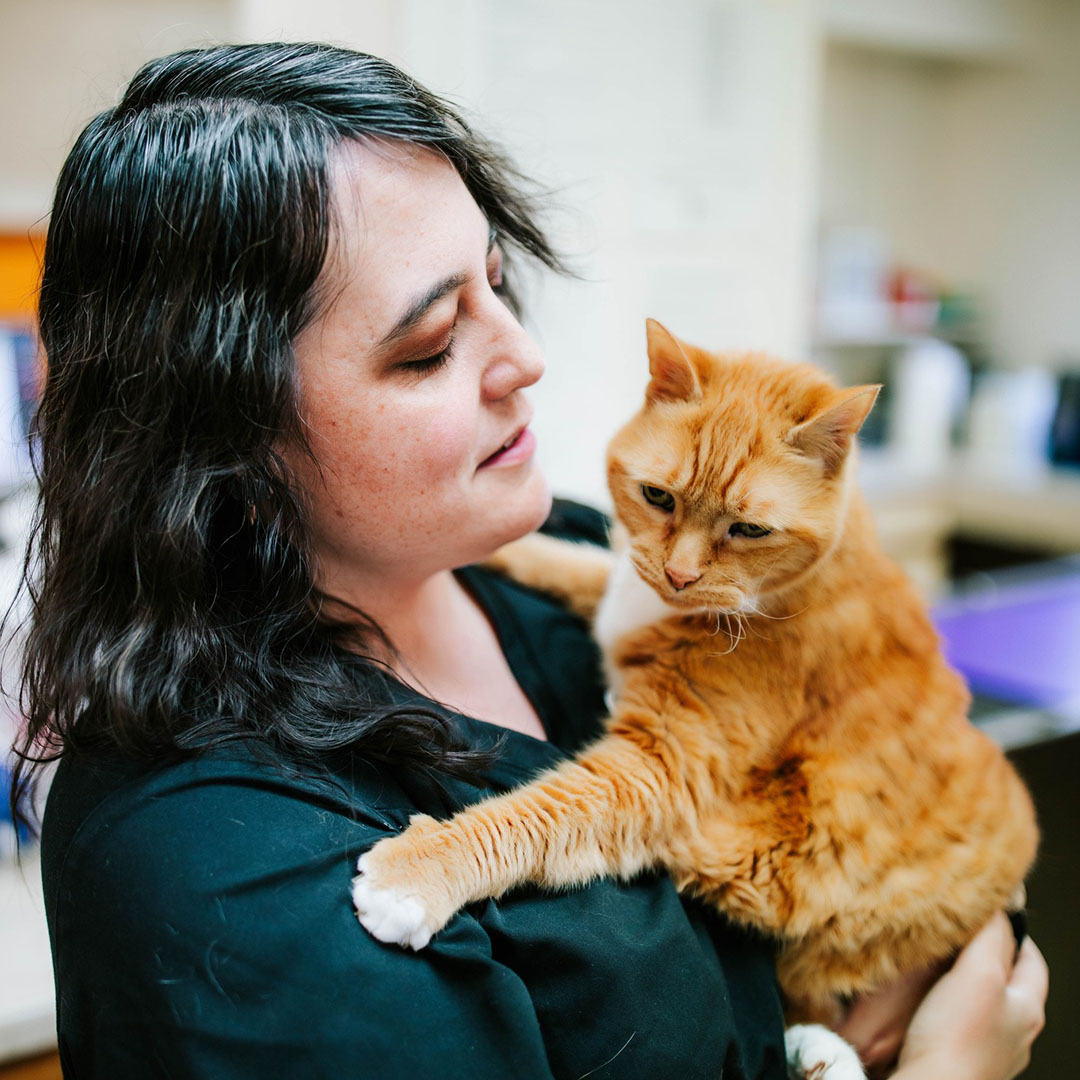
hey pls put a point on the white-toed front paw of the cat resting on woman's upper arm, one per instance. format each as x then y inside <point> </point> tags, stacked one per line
<point>401,893</point>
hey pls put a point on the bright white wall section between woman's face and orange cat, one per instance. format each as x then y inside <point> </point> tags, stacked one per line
<point>680,137</point>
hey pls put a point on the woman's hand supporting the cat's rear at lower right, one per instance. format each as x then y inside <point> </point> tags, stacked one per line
<point>981,1018</point>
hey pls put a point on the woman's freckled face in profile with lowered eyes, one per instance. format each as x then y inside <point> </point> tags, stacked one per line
<point>412,383</point>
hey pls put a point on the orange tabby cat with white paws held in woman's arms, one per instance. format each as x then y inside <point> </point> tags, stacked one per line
<point>787,739</point>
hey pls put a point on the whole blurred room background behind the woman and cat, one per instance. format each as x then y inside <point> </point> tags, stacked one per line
<point>892,190</point>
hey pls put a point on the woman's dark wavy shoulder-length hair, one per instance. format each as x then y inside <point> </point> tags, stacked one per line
<point>190,231</point>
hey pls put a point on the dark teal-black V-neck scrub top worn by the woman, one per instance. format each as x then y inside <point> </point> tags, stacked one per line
<point>202,926</point>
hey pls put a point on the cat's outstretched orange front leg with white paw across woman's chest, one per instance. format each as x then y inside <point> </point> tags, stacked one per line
<point>605,814</point>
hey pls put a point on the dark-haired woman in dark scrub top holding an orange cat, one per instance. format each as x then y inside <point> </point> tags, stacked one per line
<point>285,404</point>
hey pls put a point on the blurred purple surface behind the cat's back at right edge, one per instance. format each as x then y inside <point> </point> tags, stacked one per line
<point>1020,643</point>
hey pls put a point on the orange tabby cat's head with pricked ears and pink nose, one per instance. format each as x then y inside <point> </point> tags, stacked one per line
<point>732,479</point>
